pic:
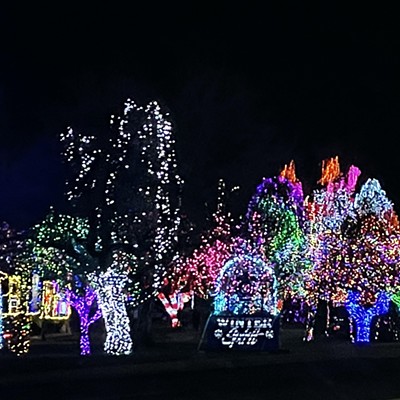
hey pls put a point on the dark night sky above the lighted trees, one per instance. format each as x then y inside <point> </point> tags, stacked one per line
<point>249,89</point>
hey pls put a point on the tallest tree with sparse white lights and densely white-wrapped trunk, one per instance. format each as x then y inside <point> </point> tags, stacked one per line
<point>126,183</point>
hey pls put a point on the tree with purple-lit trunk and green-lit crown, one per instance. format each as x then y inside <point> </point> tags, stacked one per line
<point>50,255</point>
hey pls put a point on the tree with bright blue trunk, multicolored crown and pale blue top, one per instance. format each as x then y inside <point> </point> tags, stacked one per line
<point>372,257</point>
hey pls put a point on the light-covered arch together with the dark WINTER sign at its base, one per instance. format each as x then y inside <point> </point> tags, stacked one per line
<point>245,314</point>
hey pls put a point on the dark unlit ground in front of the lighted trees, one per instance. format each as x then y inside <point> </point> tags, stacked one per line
<point>172,368</point>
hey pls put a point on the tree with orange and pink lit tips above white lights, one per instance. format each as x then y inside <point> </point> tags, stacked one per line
<point>326,211</point>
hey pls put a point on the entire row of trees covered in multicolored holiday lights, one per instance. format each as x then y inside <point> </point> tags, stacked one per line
<point>340,244</point>
